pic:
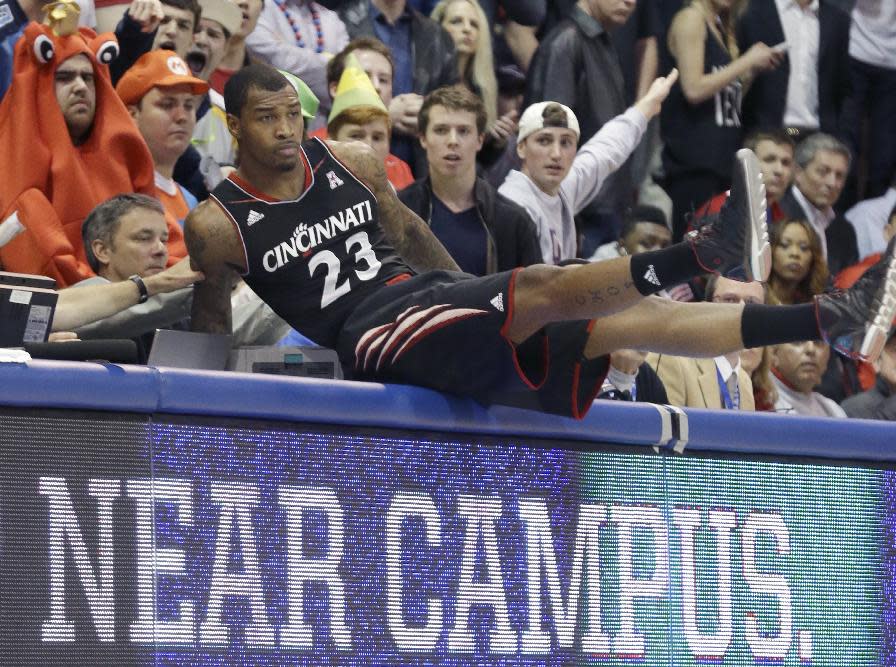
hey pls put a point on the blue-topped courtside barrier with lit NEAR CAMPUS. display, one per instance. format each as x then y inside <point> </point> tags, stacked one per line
<point>164,517</point>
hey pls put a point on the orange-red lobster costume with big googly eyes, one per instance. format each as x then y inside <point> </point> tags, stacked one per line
<point>48,185</point>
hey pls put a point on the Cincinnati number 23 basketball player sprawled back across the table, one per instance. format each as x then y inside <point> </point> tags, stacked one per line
<point>317,231</point>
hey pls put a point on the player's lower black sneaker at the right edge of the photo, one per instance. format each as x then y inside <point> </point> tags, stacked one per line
<point>857,321</point>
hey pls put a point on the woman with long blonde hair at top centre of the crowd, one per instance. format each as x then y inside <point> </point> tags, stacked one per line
<point>468,26</point>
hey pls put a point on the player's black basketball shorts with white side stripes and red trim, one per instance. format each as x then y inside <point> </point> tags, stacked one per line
<point>447,331</point>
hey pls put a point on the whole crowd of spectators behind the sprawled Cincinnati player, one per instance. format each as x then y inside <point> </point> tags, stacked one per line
<point>109,140</point>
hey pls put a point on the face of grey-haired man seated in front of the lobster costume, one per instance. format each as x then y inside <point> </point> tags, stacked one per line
<point>139,246</point>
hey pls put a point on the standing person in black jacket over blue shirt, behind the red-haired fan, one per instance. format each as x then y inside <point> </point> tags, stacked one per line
<point>424,58</point>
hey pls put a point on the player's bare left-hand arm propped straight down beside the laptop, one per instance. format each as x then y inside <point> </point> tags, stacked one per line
<point>215,250</point>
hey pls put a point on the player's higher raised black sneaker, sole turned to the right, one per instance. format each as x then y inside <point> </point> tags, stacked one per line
<point>735,242</point>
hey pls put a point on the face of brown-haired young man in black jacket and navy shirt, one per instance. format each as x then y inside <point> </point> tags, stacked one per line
<point>451,141</point>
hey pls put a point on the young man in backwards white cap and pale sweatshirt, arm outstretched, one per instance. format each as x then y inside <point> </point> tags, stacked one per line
<point>556,182</point>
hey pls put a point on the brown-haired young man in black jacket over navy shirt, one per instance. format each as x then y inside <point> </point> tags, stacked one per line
<point>483,231</point>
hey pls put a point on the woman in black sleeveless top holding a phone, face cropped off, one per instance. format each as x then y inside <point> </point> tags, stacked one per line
<point>701,119</point>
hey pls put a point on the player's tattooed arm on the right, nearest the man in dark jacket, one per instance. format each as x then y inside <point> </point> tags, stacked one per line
<point>408,234</point>
